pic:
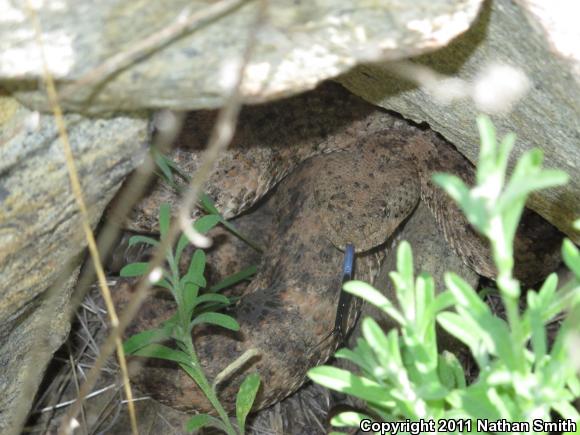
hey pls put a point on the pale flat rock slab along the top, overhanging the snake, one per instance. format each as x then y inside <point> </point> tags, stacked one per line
<point>301,44</point>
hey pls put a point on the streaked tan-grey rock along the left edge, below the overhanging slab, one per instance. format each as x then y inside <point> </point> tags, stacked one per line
<point>40,233</point>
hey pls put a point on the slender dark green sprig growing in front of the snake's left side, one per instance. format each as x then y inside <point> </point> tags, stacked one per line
<point>194,308</point>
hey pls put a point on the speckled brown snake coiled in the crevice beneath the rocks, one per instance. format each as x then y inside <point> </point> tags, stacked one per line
<point>345,172</point>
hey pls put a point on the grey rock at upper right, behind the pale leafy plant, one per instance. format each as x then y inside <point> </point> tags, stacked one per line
<point>548,117</point>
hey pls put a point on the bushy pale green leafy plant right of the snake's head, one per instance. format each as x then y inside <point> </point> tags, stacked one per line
<point>404,381</point>
